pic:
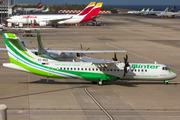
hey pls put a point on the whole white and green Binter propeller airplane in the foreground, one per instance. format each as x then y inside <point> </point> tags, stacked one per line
<point>98,71</point>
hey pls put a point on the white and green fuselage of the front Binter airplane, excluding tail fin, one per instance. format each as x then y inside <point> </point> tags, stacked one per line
<point>91,72</point>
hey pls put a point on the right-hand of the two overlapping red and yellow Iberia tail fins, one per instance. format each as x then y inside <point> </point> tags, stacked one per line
<point>93,13</point>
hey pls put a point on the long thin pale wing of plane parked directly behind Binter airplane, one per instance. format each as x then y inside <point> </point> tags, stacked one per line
<point>80,51</point>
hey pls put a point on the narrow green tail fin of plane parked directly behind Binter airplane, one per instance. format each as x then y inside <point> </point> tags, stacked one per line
<point>41,49</point>
